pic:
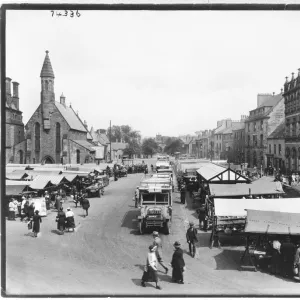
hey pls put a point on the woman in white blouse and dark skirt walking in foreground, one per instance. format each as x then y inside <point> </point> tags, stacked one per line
<point>150,270</point>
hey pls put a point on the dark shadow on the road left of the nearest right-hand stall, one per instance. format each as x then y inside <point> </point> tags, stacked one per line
<point>228,260</point>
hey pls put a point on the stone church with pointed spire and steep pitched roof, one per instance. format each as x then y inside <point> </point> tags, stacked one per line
<point>55,133</point>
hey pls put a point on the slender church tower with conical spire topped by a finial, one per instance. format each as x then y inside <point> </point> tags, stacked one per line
<point>47,93</point>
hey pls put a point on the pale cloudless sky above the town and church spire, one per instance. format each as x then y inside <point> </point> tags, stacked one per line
<point>167,72</point>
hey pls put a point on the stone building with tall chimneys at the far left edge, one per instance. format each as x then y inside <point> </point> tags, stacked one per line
<point>15,145</point>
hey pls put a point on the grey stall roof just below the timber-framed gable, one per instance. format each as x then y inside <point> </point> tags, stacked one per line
<point>244,189</point>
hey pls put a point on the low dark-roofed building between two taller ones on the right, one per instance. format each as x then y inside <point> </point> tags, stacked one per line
<point>276,148</point>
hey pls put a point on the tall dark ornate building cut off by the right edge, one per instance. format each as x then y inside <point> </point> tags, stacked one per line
<point>292,122</point>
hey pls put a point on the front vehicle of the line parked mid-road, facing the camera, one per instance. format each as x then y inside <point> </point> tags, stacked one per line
<point>155,209</point>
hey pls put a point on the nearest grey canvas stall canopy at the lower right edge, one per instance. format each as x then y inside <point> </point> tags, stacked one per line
<point>272,222</point>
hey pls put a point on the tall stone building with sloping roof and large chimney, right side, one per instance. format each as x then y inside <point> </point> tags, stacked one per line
<point>262,121</point>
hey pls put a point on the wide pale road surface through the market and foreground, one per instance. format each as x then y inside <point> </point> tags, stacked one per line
<point>106,255</point>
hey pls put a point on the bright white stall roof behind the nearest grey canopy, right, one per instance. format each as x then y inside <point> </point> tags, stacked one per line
<point>237,207</point>
